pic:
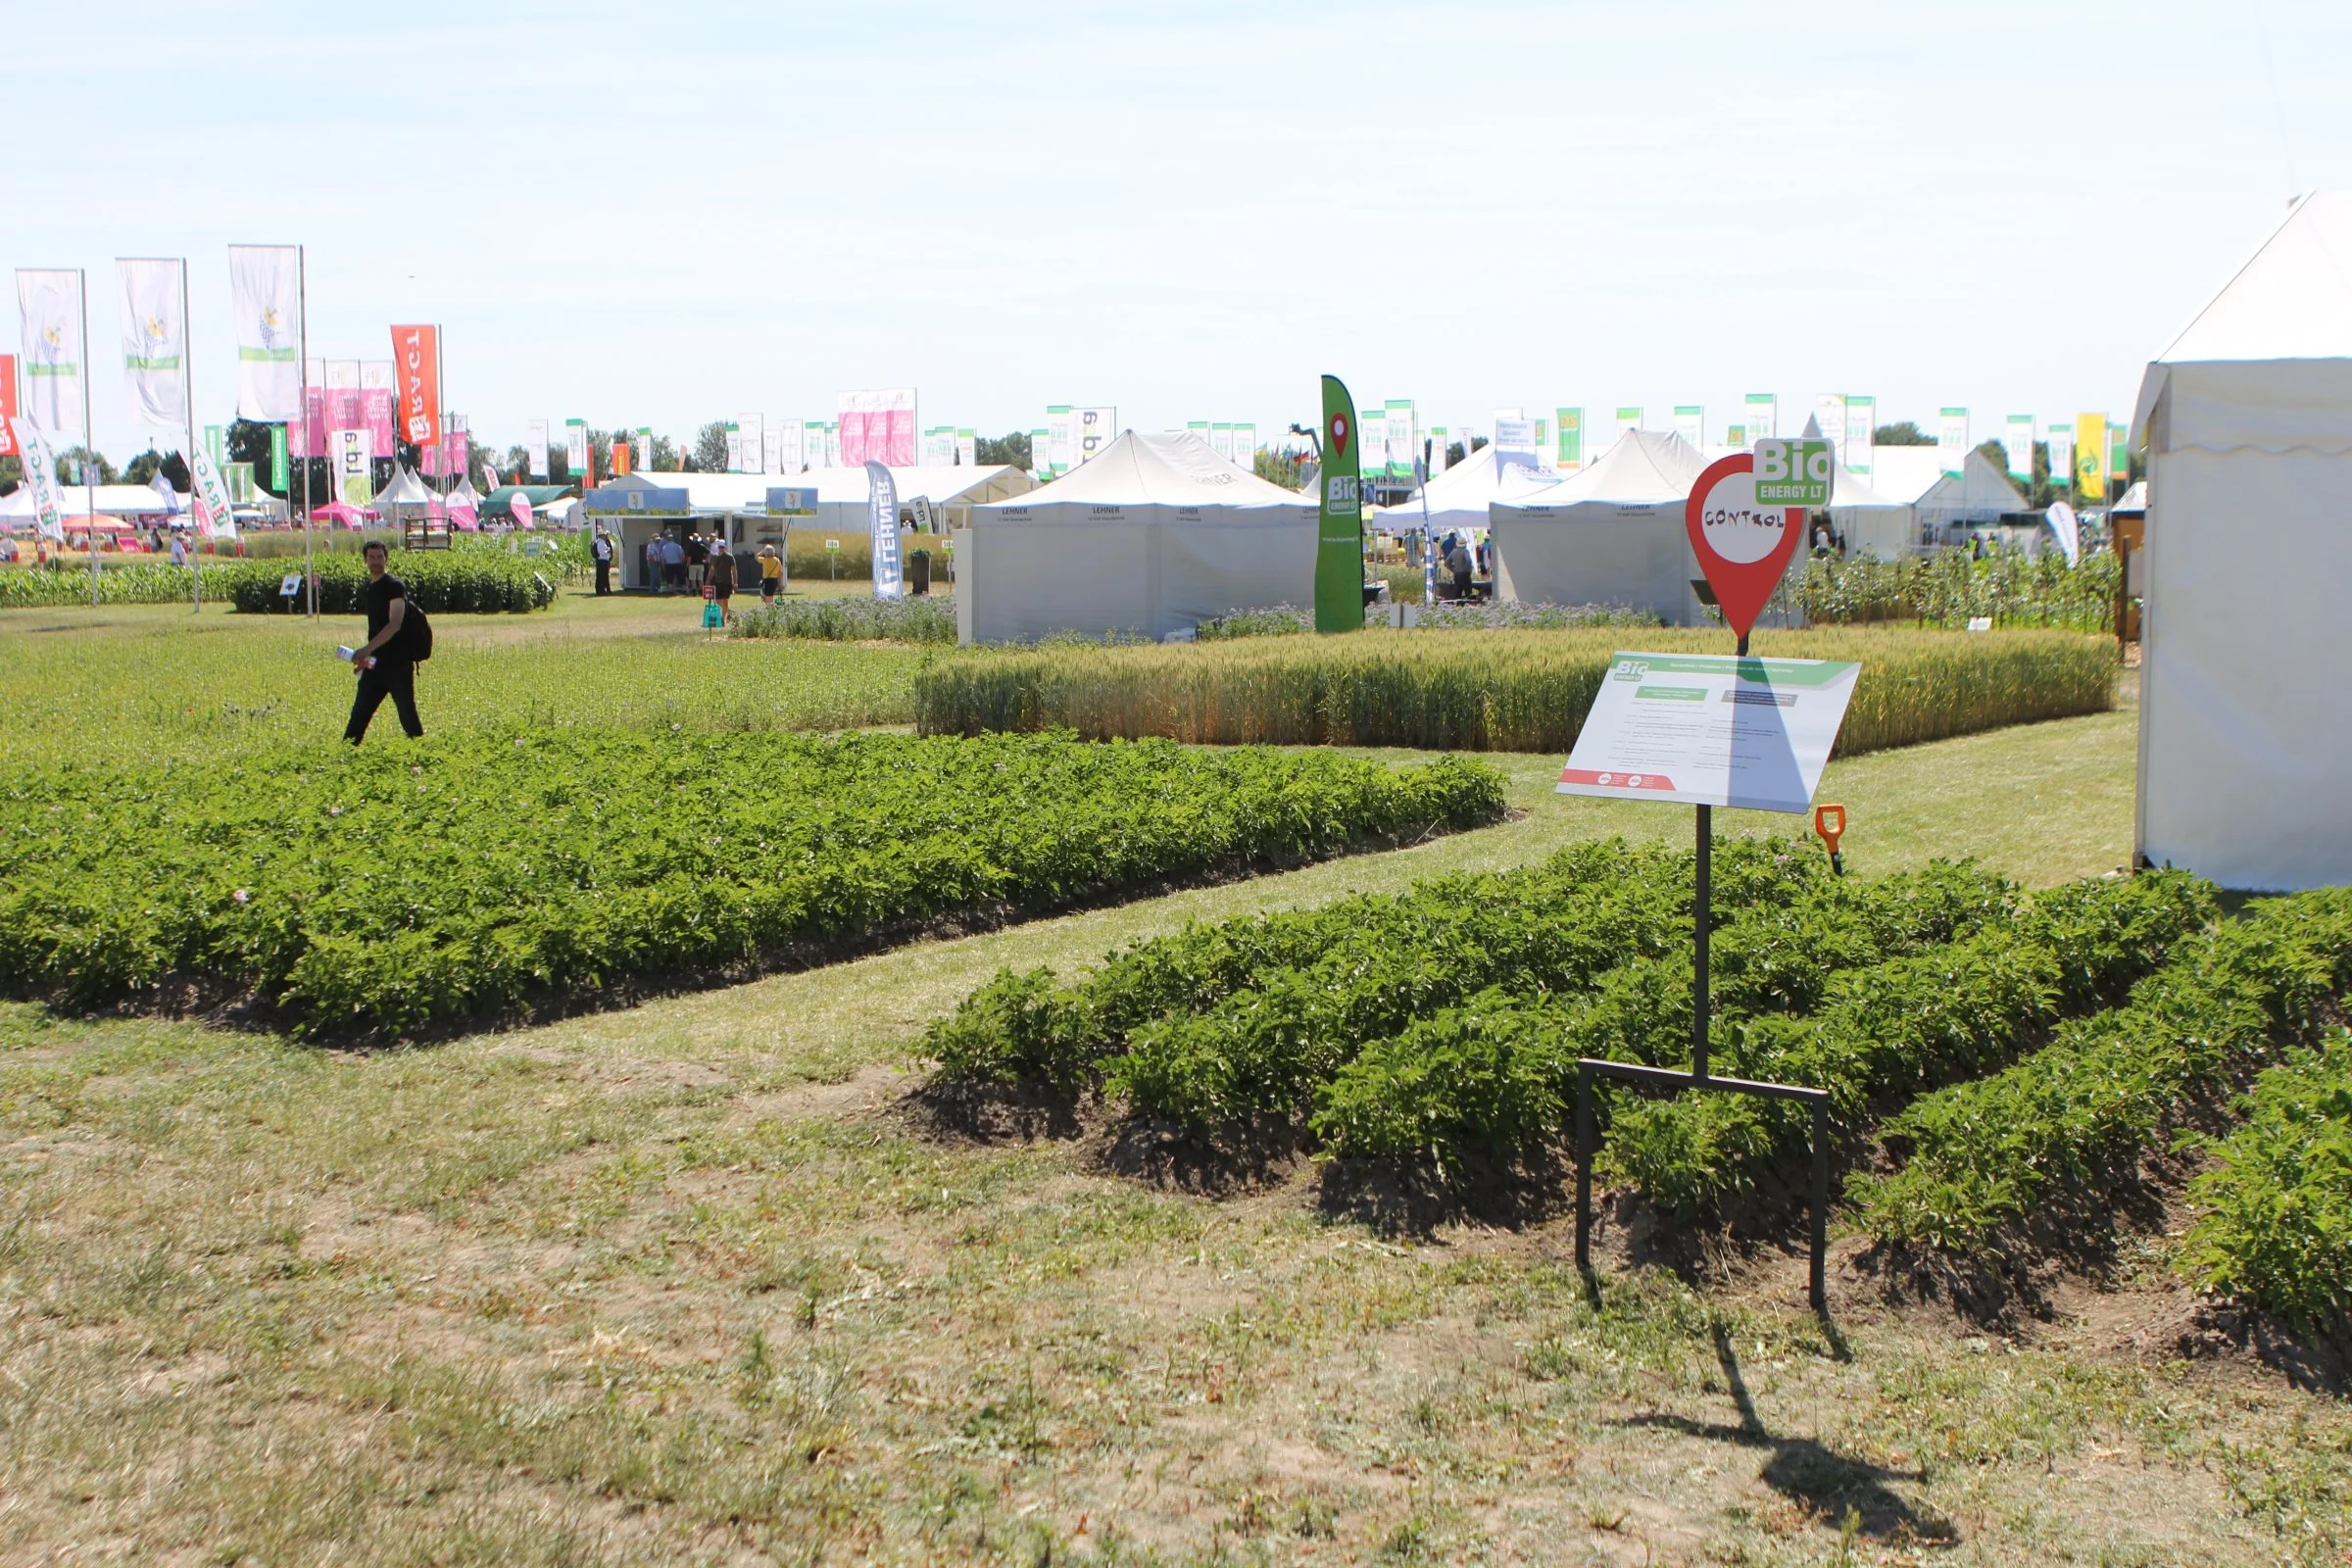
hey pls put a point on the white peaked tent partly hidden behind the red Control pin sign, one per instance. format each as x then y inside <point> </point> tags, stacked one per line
<point>1608,535</point>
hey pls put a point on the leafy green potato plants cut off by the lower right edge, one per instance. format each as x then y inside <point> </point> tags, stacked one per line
<point>2278,1207</point>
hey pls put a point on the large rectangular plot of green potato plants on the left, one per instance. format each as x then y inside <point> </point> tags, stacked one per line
<point>410,887</point>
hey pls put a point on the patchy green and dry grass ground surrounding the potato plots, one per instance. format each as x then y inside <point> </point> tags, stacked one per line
<point>690,1282</point>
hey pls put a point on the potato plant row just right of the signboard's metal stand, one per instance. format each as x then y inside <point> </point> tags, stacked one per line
<point>2076,1120</point>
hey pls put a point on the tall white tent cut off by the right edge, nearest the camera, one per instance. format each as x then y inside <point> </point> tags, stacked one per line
<point>2245,713</point>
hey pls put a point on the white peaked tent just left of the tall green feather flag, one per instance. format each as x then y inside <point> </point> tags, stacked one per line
<point>1154,535</point>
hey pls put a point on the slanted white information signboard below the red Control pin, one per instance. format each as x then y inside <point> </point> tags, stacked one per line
<point>1711,730</point>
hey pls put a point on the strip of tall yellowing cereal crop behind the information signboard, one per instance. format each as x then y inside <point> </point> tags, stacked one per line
<point>1514,692</point>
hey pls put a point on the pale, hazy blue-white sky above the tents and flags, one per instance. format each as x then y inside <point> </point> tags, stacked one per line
<point>667,215</point>
